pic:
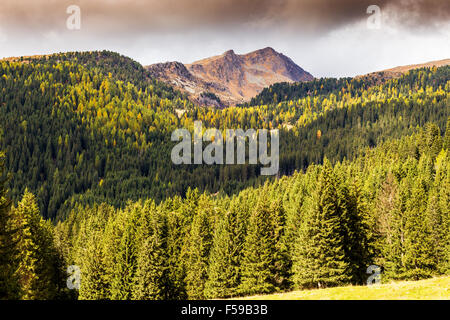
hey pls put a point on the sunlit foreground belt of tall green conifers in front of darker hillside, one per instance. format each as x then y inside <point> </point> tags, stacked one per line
<point>322,228</point>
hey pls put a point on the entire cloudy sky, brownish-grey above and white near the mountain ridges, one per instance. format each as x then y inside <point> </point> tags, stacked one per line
<point>325,37</point>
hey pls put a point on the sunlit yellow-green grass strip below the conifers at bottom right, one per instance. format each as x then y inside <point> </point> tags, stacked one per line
<point>429,289</point>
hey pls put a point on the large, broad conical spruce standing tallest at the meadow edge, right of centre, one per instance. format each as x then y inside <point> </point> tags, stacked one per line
<point>320,259</point>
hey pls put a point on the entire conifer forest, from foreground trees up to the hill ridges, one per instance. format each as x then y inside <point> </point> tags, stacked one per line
<point>364,180</point>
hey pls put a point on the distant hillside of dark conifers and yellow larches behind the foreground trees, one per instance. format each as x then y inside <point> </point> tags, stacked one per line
<point>94,127</point>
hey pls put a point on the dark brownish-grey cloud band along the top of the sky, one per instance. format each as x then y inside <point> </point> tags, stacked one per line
<point>165,15</point>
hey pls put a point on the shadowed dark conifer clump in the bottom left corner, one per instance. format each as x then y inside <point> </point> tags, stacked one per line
<point>31,265</point>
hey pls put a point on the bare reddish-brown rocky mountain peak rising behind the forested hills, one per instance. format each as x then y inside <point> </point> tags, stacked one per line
<point>230,77</point>
